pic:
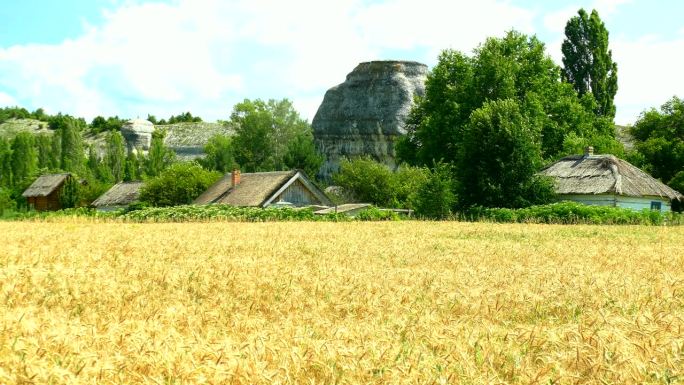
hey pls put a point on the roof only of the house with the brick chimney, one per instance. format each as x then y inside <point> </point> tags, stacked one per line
<point>255,189</point>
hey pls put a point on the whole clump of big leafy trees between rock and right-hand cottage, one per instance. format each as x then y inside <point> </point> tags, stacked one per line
<point>508,93</point>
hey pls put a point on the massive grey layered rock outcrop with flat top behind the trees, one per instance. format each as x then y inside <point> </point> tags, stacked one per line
<point>365,115</point>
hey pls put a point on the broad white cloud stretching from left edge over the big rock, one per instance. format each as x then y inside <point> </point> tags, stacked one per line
<point>205,55</point>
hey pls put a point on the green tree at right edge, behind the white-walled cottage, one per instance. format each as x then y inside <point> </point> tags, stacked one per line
<point>659,140</point>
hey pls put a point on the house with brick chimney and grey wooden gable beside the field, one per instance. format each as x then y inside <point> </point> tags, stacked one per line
<point>262,189</point>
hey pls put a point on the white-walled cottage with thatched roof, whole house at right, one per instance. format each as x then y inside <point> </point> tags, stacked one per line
<point>609,181</point>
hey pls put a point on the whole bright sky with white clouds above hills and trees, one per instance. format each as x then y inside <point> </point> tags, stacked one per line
<point>132,58</point>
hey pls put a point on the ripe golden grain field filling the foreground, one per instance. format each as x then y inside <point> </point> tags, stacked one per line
<point>408,302</point>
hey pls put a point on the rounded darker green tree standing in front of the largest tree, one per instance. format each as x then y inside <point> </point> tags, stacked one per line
<point>499,158</point>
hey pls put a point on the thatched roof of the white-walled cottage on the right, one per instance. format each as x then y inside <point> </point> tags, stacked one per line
<point>605,174</point>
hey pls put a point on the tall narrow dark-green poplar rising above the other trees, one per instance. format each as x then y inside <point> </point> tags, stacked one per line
<point>588,63</point>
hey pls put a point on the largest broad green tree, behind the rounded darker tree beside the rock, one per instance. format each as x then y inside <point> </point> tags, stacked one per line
<point>515,68</point>
